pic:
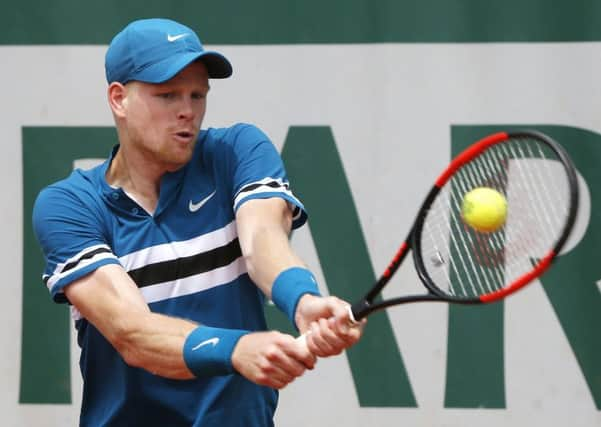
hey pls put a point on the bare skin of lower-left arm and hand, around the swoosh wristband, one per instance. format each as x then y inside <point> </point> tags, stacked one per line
<point>111,301</point>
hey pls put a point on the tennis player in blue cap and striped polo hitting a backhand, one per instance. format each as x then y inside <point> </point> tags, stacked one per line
<point>167,252</point>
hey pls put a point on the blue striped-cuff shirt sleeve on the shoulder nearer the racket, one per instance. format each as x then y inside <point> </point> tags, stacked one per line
<point>258,171</point>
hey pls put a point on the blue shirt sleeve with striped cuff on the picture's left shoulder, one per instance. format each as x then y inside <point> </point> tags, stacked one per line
<point>70,235</point>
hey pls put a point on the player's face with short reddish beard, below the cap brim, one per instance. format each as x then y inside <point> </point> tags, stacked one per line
<point>162,120</point>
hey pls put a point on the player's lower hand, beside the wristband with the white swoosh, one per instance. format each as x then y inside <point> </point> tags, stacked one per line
<point>271,358</point>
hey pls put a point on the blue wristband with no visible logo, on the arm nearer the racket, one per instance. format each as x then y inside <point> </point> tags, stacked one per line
<point>290,286</point>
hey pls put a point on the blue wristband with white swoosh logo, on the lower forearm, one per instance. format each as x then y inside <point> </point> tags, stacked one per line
<point>208,351</point>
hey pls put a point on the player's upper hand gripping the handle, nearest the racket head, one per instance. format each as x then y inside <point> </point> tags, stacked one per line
<point>327,324</point>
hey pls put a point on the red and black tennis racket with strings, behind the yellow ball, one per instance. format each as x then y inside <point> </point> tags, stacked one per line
<point>459,264</point>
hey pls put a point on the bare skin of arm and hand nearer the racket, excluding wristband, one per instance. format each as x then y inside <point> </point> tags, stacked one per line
<point>263,229</point>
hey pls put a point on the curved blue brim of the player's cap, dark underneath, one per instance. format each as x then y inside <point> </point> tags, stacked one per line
<point>217,65</point>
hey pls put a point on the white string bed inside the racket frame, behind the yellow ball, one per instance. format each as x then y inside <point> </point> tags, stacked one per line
<point>466,263</point>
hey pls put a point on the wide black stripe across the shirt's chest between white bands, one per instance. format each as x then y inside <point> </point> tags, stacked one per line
<point>167,271</point>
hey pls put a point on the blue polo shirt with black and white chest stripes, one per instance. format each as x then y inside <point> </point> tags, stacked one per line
<point>185,259</point>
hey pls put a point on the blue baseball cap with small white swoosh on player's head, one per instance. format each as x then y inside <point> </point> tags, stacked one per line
<point>155,50</point>
